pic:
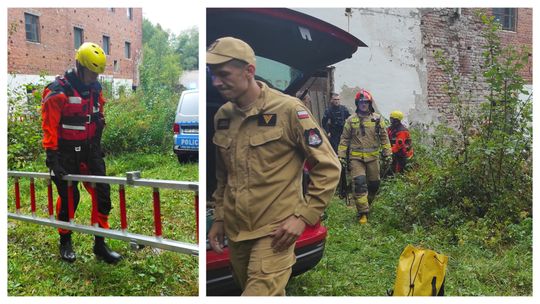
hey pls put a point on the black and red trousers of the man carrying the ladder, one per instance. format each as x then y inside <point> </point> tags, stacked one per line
<point>73,162</point>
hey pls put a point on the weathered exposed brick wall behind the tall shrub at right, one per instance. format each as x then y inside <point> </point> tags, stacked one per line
<point>458,35</point>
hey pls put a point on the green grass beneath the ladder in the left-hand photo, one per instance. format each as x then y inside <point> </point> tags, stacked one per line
<point>34,266</point>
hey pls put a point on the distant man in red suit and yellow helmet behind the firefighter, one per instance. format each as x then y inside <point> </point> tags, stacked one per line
<point>400,139</point>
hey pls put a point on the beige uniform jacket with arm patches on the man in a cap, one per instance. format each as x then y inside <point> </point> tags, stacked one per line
<point>259,165</point>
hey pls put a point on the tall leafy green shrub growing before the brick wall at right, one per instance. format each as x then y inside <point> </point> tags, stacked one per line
<point>477,176</point>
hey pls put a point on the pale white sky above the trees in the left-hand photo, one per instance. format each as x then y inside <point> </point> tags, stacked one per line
<point>176,20</point>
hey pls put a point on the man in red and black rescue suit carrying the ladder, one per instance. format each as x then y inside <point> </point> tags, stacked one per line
<point>72,122</point>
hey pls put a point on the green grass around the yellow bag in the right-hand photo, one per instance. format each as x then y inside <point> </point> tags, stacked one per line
<point>362,260</point>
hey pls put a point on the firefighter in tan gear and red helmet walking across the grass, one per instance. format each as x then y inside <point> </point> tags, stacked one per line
<point>363,137</point>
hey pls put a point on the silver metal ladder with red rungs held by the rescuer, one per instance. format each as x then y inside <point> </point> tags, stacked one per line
<point>131,179</point>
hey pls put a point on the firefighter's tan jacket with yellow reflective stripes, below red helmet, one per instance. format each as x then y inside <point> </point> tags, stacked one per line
<point>364,146</point>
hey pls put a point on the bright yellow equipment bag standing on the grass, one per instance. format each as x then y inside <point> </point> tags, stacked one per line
<point>421,272</point>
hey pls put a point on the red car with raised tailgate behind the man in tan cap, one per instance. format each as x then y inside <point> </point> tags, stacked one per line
<point>291,47</point>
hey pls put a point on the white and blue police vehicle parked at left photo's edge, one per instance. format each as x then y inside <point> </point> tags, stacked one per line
<point>186,126</point>
